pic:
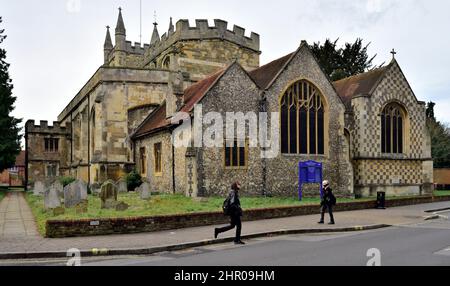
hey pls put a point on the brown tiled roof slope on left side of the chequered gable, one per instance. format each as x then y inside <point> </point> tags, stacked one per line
<point>360,84</point>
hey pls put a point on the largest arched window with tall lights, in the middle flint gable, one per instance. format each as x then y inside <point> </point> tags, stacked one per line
<point>302,120</point>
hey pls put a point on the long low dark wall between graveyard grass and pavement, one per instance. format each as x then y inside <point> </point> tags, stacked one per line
<point>90,227</point>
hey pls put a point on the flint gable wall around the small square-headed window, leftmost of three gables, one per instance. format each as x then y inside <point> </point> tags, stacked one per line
<point>235,92</point>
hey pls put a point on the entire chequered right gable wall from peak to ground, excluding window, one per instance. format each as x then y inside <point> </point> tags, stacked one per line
<point>406,173</point>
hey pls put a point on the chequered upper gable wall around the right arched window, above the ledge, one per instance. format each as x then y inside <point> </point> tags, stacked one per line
<point>367,109</point>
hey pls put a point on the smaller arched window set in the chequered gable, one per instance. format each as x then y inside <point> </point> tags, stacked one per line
<point>392,129</point>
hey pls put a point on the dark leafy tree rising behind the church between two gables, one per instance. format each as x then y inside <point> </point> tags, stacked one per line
<point>340,63</point>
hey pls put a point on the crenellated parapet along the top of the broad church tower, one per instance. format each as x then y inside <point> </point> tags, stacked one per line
<point>202,31</point>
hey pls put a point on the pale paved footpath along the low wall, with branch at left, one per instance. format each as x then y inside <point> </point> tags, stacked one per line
<point>19,231</point>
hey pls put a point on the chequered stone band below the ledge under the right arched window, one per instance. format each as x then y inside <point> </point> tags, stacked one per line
<point>388,172</point>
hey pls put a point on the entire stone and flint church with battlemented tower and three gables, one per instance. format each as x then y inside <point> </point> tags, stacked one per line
<point>368,130</point>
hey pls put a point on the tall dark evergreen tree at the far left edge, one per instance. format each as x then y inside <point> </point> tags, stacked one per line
<point>9,129</point>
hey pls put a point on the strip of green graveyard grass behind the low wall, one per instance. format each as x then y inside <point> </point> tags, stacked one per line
<point>164,204</point>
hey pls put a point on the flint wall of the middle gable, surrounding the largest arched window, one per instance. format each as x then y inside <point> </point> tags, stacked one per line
<point>282,171</point>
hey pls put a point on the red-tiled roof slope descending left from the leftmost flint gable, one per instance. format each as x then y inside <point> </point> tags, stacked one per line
<point>157,120</point>
